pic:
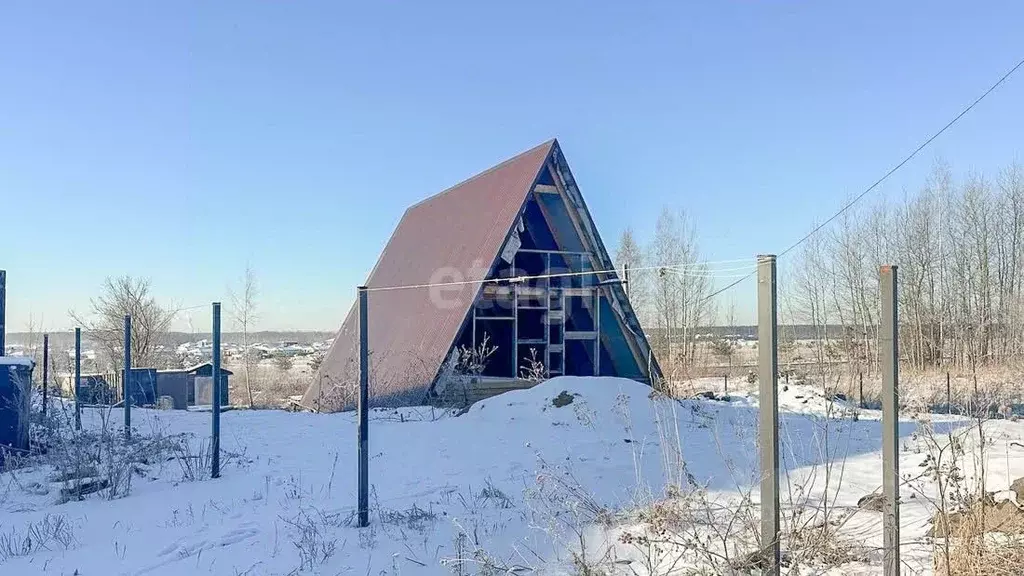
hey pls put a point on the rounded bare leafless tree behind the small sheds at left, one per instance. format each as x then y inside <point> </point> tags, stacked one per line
<point>122,297</point>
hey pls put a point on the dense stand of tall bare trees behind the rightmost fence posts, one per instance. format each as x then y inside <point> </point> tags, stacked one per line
<point>959,246</point>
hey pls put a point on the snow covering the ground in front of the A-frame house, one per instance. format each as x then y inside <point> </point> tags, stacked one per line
<point>516,485</point>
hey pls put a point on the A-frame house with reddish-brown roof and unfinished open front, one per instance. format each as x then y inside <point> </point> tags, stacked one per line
<point>519,227</point>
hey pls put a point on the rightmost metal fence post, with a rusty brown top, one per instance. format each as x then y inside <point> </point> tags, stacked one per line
<point>889,342</point>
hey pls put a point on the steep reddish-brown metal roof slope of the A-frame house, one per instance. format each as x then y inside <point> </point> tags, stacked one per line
<point>453,236</point>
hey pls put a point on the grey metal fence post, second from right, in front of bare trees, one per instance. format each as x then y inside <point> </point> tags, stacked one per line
<point>769,380</point>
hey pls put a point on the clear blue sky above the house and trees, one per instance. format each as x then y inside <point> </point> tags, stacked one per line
<point>180,141</point>
